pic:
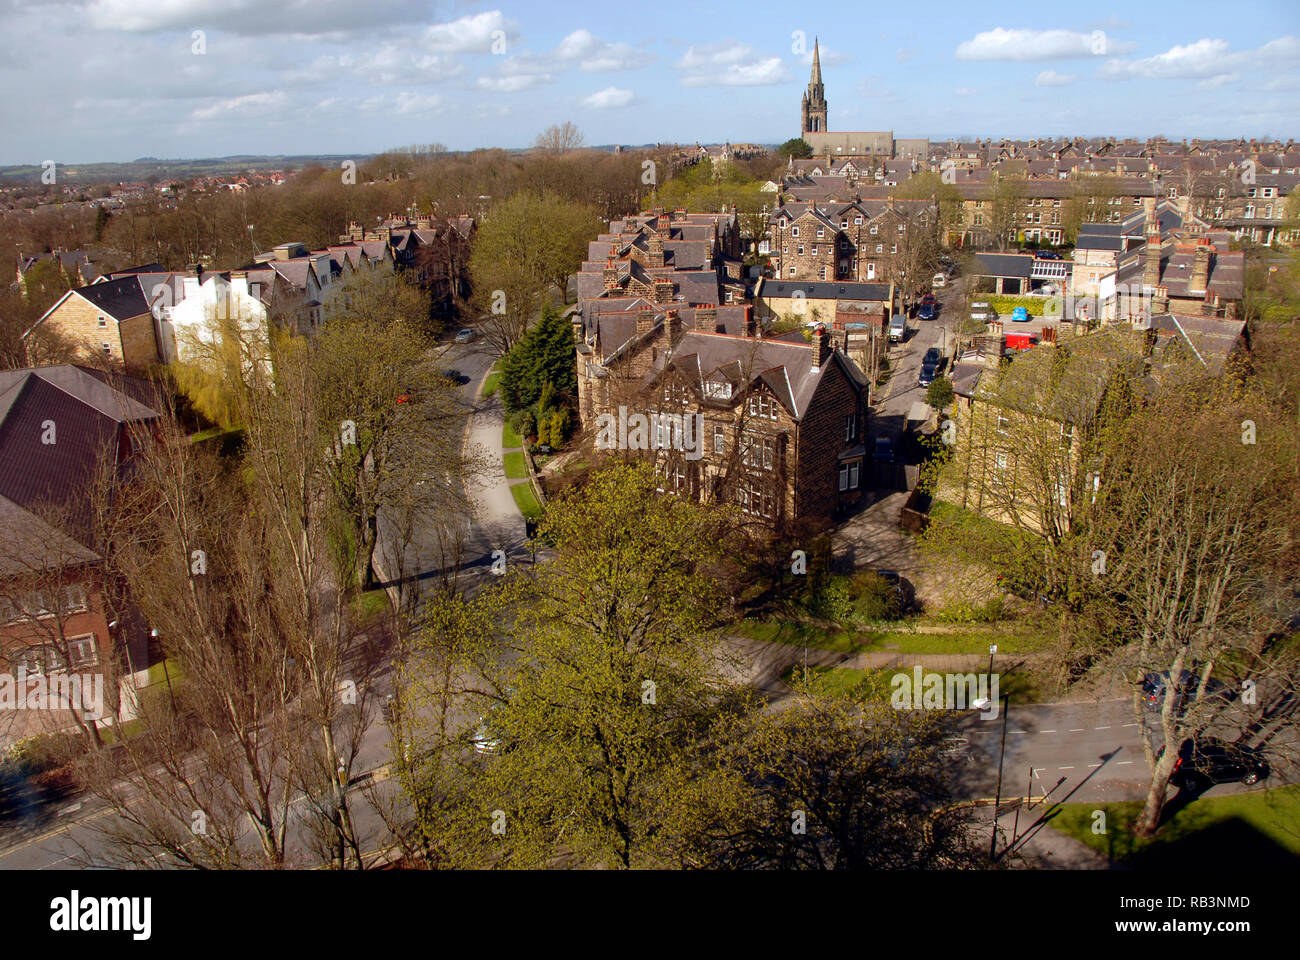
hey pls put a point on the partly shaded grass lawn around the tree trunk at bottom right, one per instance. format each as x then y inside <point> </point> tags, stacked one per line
<point>1260,828</point>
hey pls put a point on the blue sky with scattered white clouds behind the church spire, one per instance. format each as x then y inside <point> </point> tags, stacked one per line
<point>118,80</point>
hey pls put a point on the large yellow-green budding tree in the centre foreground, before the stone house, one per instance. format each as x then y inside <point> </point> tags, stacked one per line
<point>597,695</point>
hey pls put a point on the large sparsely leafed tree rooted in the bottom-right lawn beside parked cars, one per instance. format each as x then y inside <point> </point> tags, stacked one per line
<point>1195,530</point>
